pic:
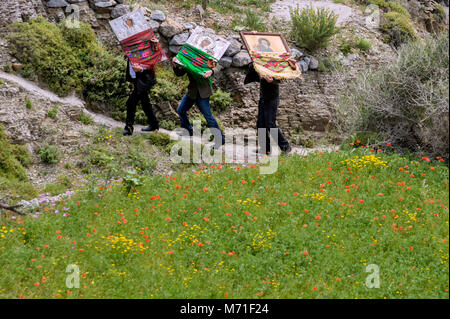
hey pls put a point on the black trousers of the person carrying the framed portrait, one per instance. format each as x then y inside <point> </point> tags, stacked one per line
<point>267,117</point>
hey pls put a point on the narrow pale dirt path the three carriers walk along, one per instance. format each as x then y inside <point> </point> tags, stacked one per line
<point>239,150</point>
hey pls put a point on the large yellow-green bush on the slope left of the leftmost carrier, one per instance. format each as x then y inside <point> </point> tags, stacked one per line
<point>70,59</point>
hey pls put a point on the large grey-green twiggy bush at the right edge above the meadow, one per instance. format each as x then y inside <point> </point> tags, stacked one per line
<point>405,102</point>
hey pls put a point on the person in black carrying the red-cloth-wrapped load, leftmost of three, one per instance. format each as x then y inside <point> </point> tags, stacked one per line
<point>143,80</point>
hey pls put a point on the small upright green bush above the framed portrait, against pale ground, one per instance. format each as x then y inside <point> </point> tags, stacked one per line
<point>313,28</point>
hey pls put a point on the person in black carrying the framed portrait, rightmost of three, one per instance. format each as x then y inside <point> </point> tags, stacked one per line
<point>269,99</point>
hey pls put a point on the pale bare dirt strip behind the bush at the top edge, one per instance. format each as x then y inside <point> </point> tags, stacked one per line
<point>281,9</point>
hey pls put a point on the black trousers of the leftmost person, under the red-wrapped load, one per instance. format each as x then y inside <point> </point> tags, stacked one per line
<point>140,94</point>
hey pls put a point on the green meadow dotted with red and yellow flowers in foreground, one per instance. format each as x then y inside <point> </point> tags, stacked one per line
<point>307,231</point>
